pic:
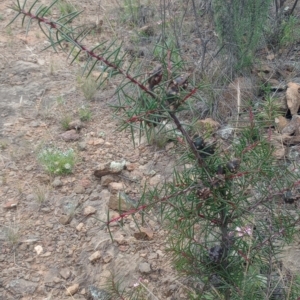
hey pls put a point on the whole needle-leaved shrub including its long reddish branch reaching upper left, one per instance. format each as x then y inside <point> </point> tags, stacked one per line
<point>223,211</point>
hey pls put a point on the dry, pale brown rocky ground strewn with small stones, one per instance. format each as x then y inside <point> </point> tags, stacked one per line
<point>52,237</point>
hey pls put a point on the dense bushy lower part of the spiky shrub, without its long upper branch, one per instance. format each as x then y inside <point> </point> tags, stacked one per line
<point>229,229</point>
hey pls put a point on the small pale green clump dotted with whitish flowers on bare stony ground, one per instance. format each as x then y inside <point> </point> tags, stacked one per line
<point>57,162</point>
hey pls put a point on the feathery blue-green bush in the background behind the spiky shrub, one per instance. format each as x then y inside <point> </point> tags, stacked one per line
<point>239,26</point>
